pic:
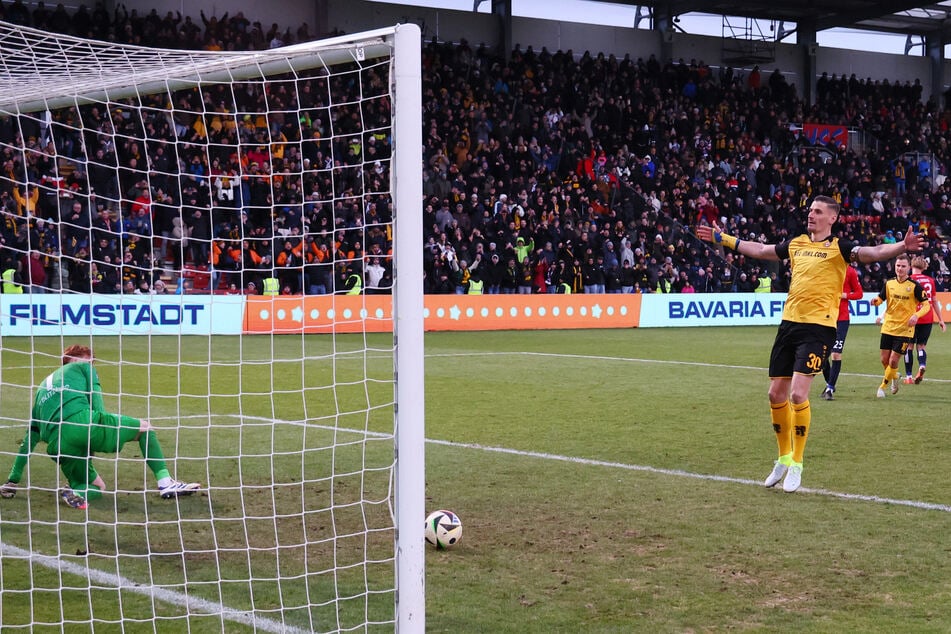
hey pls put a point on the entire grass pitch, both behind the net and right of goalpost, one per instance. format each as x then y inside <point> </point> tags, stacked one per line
<point>608,481</point>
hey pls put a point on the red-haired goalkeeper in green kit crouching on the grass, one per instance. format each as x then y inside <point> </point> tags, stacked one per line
<point>69,416</point>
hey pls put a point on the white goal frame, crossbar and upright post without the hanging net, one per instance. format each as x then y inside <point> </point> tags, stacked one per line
<point>92,79</point>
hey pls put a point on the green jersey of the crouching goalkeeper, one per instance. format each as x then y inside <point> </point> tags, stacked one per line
<point>69,390</point>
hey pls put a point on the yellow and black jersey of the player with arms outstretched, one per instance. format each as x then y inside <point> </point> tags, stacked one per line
<point>818,272</point>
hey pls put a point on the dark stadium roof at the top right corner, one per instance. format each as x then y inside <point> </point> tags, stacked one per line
<point>906,17</point>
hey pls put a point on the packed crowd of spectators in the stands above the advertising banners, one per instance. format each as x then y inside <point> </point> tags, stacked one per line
<point>543,172</point>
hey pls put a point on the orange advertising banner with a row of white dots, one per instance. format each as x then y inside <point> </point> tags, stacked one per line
<point>374,313</point>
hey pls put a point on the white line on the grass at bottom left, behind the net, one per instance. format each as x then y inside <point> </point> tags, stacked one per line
<point>191,605</point>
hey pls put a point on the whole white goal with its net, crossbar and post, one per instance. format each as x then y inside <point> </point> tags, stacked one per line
<point>224,231</point>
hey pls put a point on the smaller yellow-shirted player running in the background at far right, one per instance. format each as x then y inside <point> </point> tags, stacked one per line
<point>908,302</point>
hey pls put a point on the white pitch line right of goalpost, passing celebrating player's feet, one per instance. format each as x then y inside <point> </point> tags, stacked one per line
<point>679,473</point>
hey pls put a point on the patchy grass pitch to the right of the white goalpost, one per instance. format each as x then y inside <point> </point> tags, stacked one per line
<point>610,481</point>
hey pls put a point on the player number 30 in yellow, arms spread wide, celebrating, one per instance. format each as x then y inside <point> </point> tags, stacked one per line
<point>818,261</point>
